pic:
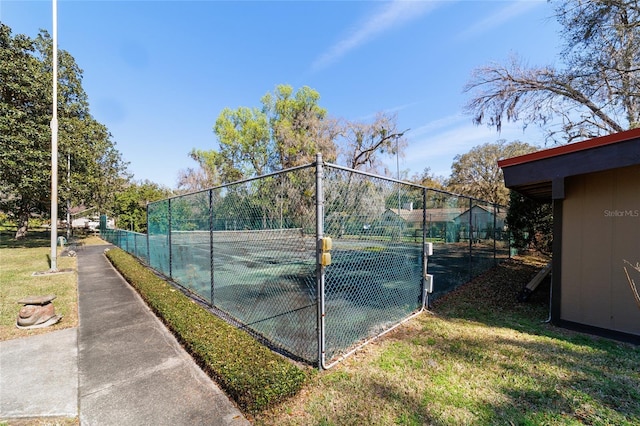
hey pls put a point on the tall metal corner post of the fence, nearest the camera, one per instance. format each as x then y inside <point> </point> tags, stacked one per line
<point>319,267</point>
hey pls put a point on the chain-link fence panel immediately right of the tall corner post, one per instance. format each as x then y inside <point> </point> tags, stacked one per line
<point>375,277</point>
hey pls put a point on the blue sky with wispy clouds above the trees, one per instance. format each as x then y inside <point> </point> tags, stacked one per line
<point>158,73</point>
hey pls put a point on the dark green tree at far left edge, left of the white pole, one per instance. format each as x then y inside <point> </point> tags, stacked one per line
<point>24,126</point>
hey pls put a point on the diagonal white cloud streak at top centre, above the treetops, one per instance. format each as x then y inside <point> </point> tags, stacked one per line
<point>387,17</point>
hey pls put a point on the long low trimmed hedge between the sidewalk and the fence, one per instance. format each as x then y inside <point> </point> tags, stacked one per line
<point>254,376</point>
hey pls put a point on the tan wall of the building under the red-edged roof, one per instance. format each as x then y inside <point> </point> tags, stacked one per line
<point>601,238</point>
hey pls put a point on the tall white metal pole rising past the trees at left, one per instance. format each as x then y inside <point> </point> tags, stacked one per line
<point>54,145</point>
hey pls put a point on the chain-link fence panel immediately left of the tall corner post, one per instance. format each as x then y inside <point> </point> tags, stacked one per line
<point>264,258</point>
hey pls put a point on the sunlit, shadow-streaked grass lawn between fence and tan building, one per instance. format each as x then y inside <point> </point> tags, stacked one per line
<point>478,358</point>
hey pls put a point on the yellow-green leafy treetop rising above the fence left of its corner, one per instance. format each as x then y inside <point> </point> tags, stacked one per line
<point>287,131</point>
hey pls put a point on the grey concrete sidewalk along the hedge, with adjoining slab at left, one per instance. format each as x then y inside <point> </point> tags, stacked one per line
<point>125,369</point>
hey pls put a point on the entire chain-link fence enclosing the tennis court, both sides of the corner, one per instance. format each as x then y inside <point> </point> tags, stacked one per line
<point>253,251</point>
